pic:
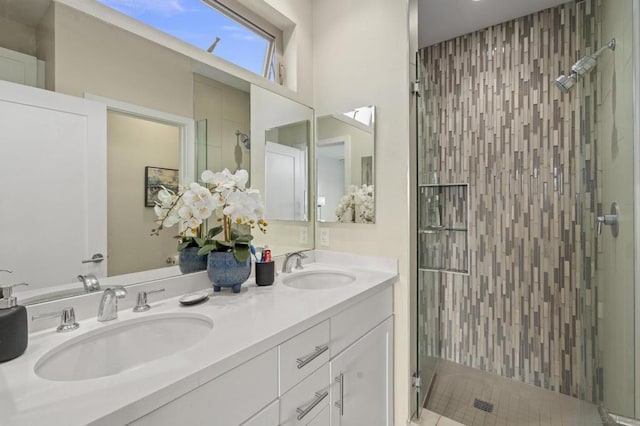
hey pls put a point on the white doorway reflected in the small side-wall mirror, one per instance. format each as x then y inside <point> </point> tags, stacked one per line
<point>333,174</point>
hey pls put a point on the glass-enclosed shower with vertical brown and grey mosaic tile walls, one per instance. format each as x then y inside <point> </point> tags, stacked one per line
<point>576,187</point>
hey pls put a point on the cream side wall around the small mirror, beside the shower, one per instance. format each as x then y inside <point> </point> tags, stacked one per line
<point>350,73</point>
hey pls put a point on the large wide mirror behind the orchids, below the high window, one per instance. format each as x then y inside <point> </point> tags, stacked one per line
<point>168,117</point>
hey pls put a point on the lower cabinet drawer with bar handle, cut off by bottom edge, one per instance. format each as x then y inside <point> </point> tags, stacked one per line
<point>305,401</point>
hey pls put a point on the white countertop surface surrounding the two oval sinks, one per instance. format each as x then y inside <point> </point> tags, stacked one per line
<point>245,325</point>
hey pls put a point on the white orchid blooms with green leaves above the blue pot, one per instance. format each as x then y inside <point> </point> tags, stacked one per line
<point>223,195</point>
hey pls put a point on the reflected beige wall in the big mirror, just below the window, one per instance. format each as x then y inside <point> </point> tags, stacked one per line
<point>92,56</point>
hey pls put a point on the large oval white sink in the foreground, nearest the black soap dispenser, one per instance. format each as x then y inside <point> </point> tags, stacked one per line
<point>122,346</point>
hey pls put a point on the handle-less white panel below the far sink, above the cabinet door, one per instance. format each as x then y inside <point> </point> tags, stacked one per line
<point>352,323</point>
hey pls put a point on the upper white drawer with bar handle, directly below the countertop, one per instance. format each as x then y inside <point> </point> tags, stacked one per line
<point>303,354</point>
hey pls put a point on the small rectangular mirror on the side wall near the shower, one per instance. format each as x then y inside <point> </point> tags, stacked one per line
<point>345,157</point>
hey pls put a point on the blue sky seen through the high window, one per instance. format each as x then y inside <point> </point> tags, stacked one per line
<point>199,24</point>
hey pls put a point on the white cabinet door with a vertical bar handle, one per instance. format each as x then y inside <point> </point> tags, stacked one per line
<point>362,375</point>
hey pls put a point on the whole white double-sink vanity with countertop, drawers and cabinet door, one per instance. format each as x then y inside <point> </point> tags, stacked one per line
<point>295,353</point>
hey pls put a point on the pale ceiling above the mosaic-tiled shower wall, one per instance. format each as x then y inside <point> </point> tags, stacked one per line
<point>440,20</point>
